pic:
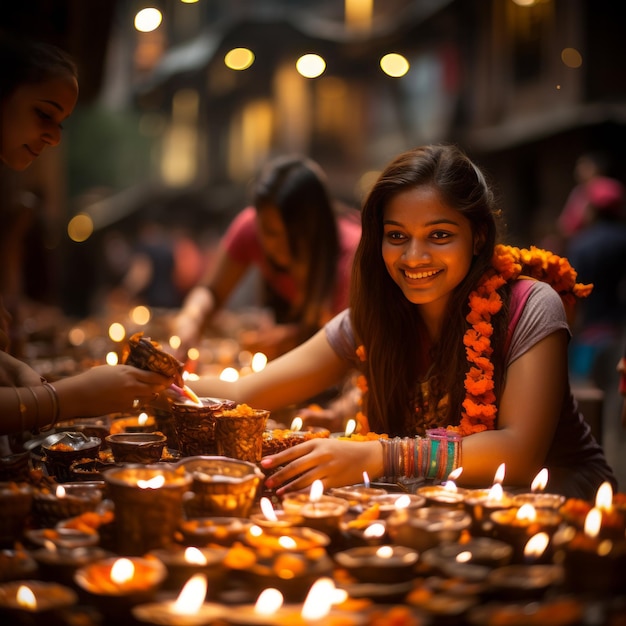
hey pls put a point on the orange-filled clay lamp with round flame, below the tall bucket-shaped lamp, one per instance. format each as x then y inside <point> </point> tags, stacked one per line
<point>117,584</point>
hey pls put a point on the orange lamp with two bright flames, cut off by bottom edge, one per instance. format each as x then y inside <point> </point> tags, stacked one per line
<point>316,609</point>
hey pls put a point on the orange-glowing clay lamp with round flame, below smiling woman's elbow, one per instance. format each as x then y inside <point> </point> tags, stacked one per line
<point>517,525</point>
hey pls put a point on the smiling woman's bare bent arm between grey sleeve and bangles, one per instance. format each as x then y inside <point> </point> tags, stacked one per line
<point>528,414</point>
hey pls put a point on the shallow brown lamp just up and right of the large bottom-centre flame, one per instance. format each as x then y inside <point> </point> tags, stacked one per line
<point>379,564</point>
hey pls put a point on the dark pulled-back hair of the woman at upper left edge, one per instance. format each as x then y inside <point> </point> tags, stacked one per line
<point>24,61</point>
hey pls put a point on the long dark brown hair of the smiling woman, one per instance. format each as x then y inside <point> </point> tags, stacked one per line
<point>385,322</point>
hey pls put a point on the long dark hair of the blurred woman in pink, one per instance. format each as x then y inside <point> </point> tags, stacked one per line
<point>295,186</point>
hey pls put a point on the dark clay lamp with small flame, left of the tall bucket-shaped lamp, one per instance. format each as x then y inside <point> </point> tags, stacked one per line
<point>68,500</point>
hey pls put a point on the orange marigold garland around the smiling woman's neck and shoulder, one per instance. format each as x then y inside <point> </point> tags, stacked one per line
<point>509,263</point>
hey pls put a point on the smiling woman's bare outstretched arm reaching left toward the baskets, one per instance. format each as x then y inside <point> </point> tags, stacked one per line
<point>293,377</point>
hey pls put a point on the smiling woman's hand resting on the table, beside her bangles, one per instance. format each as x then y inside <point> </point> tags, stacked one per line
<point>333,461</point>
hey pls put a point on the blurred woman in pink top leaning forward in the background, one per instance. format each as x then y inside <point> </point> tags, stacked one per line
<point>303,245</point>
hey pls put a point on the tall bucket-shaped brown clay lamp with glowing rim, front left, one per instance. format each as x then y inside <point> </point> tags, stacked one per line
<point>148,503</point>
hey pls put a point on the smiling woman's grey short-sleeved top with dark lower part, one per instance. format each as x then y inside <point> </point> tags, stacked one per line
<point>575,462</point>
